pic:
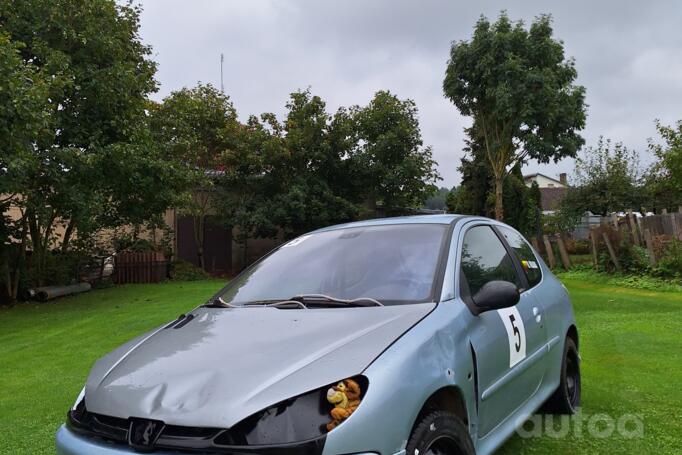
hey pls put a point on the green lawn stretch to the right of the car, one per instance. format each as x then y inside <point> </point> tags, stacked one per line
<point>631,353</point>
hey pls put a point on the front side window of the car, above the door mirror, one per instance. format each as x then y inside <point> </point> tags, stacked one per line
<point>484,258</point>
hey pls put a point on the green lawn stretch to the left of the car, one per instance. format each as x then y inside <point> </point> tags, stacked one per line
<point>46,351</point>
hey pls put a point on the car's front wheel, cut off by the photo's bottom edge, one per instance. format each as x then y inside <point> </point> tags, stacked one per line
<point>440,433</point>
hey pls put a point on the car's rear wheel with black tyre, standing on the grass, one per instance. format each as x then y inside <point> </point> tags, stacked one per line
<point>566,398</point>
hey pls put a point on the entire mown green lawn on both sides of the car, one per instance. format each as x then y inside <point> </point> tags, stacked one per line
<point>631,348</point>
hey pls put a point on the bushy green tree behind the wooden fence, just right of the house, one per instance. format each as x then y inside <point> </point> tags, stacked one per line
<point>606,179</point>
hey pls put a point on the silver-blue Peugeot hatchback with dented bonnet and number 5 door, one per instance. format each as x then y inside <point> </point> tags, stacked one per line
<point>419,335</point>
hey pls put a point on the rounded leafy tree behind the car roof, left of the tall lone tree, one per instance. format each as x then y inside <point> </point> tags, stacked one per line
<point>391,165</point>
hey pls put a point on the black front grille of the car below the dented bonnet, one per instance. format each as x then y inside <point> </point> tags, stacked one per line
<point>181,438</point>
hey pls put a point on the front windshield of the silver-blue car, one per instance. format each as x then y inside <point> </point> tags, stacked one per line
<point>390,263</point>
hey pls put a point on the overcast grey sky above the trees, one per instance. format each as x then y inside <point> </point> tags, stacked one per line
<point>628,55</point>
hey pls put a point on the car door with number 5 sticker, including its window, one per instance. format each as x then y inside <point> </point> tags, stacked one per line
<point>504,343</point>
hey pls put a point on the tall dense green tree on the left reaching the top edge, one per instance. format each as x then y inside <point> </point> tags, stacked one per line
<point>99,75</point>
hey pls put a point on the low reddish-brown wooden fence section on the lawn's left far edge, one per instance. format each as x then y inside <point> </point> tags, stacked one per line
<point>145,267</point>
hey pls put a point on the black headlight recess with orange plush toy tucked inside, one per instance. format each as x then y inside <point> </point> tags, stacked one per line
<point>301,418</point>
